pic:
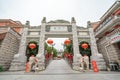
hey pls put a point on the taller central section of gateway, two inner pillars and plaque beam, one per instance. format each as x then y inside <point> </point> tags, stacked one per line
<point>59,28</point>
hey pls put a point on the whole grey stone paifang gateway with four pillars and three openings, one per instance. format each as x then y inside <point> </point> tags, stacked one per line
<point>56,29</point>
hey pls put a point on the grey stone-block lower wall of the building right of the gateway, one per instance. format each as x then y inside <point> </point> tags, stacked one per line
<point>111,52</point>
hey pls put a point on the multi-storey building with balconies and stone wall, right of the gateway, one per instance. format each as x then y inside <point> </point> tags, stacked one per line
<point>107,34</point>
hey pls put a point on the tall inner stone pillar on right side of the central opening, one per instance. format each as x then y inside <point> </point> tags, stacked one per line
<point>77,56</point>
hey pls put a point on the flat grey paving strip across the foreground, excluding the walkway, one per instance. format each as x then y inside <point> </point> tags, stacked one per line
<point>82,76</point>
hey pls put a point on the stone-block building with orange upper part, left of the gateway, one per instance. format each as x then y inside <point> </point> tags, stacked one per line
<point>9,41</point>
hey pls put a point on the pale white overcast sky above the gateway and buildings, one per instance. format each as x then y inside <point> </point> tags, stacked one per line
<point>35,10</point>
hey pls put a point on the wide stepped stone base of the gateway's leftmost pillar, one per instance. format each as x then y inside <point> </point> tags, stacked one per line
<point>17,64</point>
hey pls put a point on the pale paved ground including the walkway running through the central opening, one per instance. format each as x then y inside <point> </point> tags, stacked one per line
<point>60,70</point>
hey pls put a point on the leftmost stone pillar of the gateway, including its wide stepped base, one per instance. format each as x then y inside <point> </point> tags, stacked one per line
<point>19,60</point>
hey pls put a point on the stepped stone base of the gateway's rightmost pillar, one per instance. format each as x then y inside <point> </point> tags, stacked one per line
<point>101,64</point>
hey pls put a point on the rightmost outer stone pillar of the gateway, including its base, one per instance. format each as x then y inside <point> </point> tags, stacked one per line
<point>95,54</point>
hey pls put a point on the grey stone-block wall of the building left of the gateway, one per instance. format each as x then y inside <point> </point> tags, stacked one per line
<point>9,48</point>
